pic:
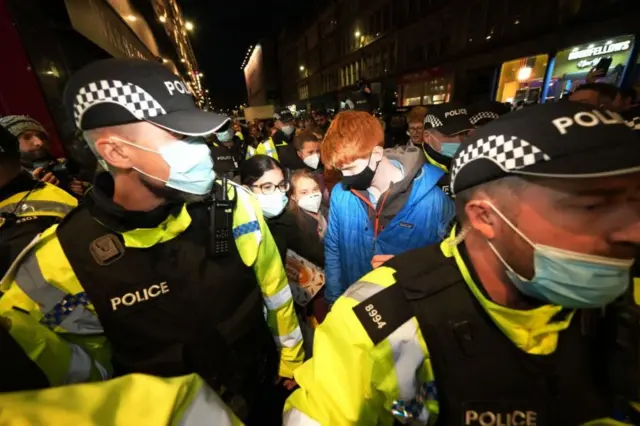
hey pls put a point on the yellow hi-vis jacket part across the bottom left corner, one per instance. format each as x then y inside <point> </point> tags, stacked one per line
<point>135,399</point>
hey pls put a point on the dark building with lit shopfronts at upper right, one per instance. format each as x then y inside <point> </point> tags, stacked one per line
<point>433,51</point>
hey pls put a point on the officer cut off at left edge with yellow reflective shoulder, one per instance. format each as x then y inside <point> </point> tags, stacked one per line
<point>27,206</point>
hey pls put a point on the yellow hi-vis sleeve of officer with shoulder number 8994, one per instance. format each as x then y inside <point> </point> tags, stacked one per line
<point>351,381</point>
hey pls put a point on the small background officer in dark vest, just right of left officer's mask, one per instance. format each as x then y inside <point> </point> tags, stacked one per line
<point>227,149</point>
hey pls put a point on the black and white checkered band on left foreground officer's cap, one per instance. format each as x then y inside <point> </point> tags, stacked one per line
<point>134,98</point>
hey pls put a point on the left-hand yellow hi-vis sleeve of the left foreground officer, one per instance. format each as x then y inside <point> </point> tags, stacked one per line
<point>37,288</point>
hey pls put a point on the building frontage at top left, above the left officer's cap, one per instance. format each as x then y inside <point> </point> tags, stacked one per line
<point>47,41</point>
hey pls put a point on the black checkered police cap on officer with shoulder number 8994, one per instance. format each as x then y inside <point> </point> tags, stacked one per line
<point>558,140</point>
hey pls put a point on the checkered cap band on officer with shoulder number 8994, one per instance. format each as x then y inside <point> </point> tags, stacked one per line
<point>510,153</point>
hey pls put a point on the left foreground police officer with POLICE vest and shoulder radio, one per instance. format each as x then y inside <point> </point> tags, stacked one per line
<point>164,270</point>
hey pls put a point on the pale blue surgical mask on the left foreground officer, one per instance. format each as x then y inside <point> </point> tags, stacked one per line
<point>190,166</point>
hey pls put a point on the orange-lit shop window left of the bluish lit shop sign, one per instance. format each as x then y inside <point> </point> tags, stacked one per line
<point>521,79</point>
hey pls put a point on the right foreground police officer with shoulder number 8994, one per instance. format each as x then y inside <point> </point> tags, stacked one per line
<point>492,326</point>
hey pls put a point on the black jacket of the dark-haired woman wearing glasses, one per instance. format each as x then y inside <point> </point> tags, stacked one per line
<point>289,234</point>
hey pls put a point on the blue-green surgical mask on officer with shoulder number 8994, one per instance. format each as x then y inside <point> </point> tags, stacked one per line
<point>570,279</point>
